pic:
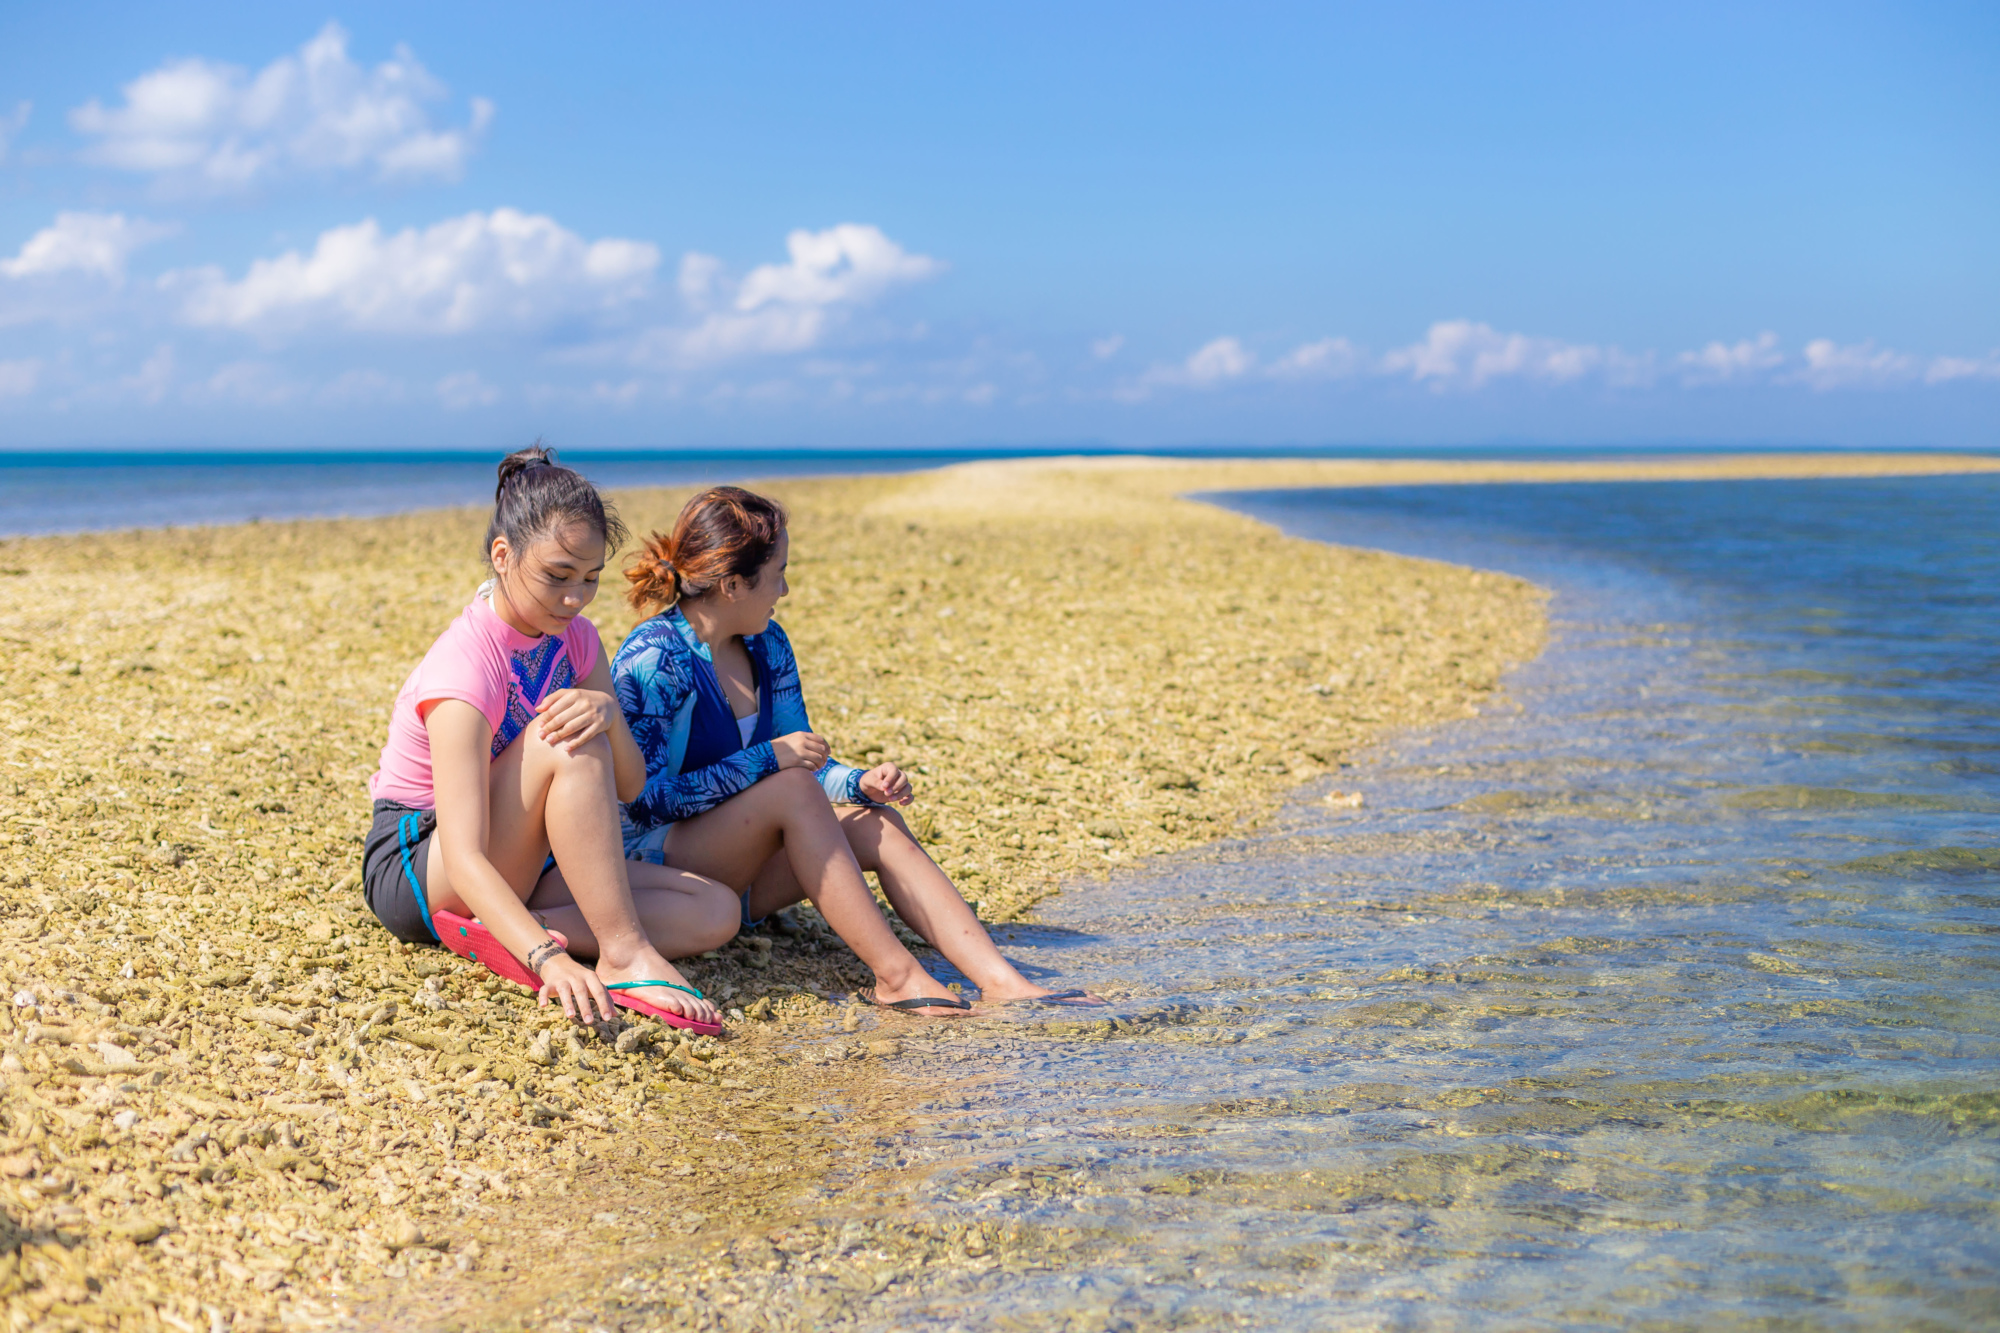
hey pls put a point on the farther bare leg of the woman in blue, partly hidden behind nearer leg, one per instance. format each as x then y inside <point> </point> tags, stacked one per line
<point>921,894</point>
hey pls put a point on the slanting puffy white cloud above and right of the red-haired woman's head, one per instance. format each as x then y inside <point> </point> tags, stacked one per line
<point>789,307</point>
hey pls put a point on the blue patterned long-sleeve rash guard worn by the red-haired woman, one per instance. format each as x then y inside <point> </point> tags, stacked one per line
<point>657,686</point>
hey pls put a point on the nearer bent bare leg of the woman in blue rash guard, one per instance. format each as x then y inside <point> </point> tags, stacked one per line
<point>789,816</point>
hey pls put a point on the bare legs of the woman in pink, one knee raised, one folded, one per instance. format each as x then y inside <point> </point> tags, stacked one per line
<point>547,800</point>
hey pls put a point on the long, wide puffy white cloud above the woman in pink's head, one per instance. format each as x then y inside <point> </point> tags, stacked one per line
<point>481,273</point>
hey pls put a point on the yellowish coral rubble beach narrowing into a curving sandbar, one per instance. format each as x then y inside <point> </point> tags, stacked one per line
<point>233,1102</point>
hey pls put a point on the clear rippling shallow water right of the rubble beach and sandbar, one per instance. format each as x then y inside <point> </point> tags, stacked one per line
<point>1667,994</point>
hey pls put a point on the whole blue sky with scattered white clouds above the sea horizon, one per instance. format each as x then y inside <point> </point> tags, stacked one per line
<point>937,225</point>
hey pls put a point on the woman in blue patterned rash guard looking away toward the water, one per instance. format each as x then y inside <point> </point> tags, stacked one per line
<point>741,790</point>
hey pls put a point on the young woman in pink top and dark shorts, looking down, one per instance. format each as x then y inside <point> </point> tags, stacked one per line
<point>497,802</point>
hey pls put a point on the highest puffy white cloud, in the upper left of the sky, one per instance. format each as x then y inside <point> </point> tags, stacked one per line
<point>315,111</point>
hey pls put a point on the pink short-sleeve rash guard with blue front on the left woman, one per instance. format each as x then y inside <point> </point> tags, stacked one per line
<point>491,665</point>
